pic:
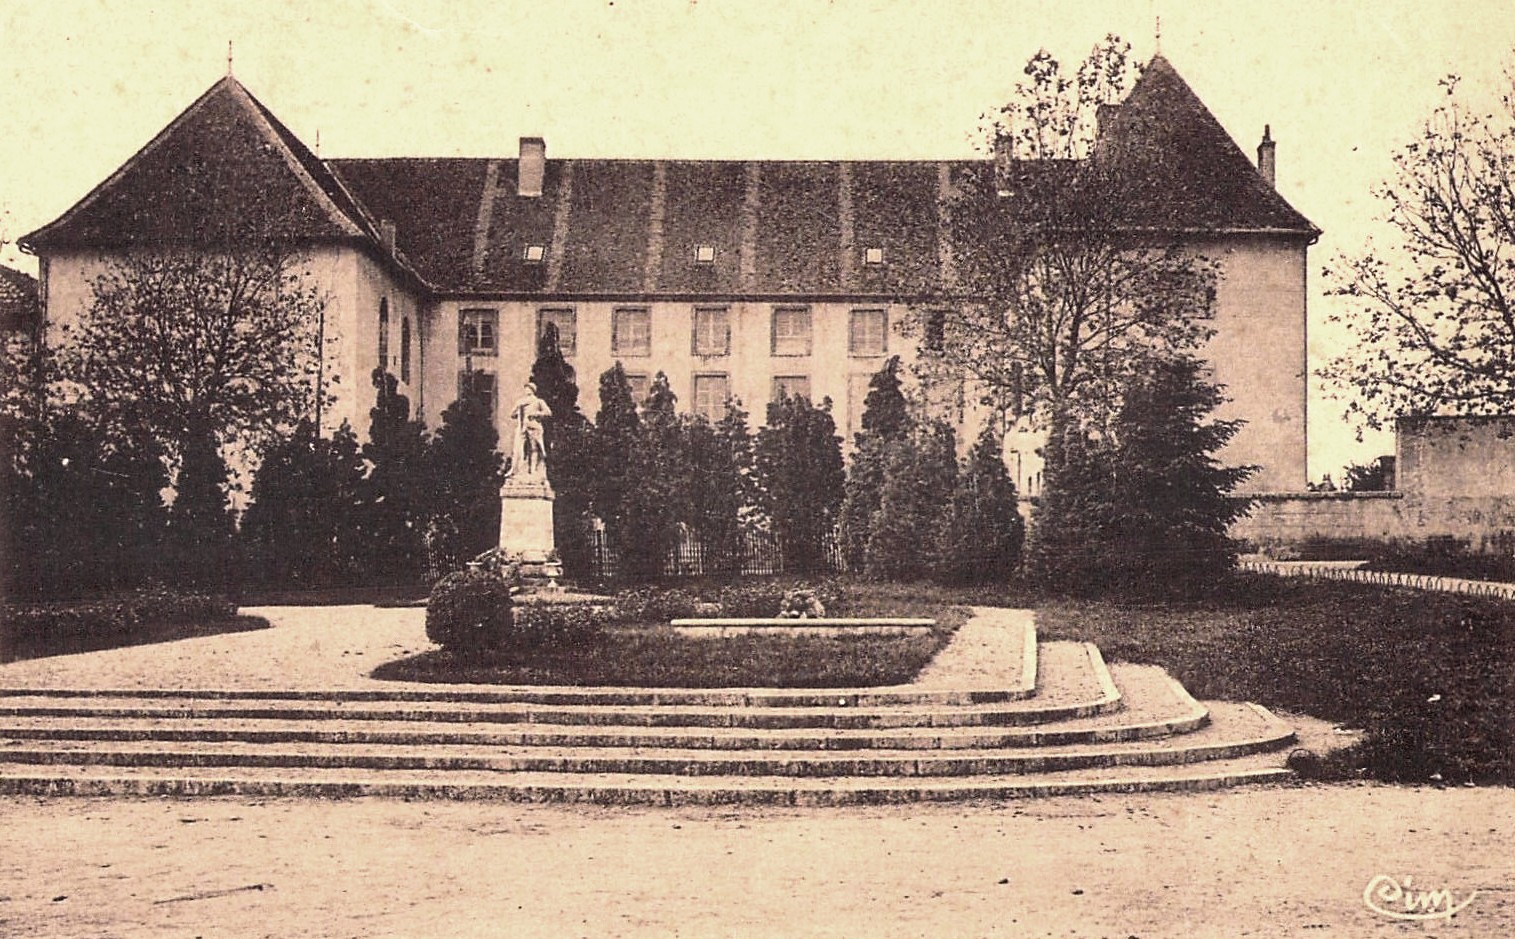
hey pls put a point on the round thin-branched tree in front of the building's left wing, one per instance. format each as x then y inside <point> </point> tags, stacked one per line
<point>219,342</point>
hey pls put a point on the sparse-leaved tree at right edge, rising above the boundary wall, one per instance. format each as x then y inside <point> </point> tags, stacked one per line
<point>1431,307</point>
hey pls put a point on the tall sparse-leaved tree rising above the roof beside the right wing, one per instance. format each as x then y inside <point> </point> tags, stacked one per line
<point>1063,290</point>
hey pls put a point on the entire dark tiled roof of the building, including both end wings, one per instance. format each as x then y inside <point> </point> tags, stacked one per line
<point>633,228</point>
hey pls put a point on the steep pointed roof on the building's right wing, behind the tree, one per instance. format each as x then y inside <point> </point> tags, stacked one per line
<point>1190,175</point>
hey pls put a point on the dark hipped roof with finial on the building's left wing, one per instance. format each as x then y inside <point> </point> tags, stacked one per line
<point>233,170</point>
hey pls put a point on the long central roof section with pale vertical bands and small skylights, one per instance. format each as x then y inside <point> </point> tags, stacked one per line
<point>622,228</point>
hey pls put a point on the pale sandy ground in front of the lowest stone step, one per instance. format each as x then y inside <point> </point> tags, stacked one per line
<point>1251,863</point>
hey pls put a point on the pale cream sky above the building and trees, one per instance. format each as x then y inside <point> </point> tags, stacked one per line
<point>84,84</point>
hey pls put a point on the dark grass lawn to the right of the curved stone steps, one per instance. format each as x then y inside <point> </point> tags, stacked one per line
<point>1431,678</point>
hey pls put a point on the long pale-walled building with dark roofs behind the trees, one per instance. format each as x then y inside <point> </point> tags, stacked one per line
<point>739,279</point>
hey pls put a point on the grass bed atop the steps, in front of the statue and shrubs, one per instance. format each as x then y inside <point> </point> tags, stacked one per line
<point>654,657</point>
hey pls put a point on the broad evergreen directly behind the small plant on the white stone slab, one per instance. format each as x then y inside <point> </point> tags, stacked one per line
<point>799,469</point>
